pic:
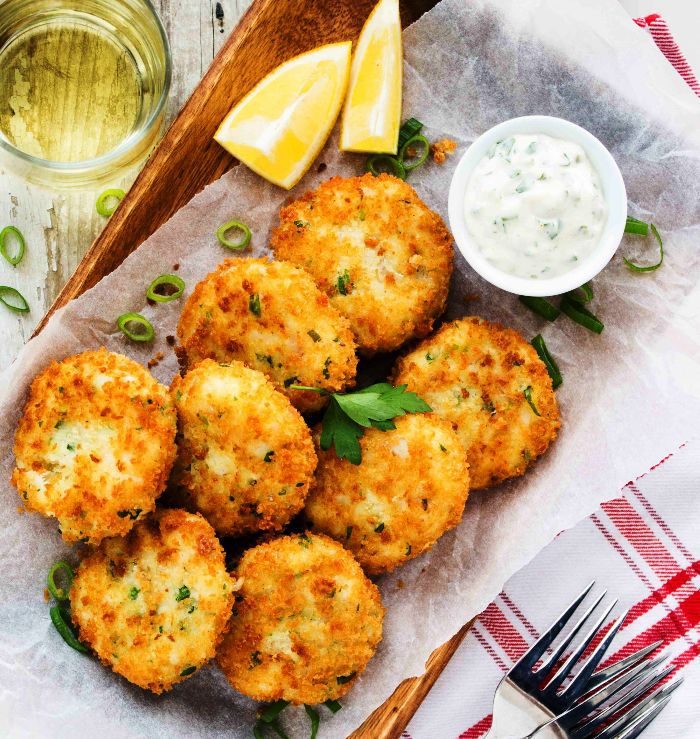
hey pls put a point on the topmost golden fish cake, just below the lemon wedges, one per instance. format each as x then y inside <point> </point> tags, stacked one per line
<point>376,250</point>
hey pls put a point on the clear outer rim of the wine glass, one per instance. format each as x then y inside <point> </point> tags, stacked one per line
<point>129,143</point>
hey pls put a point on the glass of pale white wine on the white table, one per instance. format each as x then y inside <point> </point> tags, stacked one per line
<point>83,85</point>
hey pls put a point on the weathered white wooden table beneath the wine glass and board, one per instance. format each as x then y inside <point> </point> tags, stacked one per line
<point>59,227</point>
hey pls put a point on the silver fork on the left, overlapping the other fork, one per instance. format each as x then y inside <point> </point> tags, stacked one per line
<point>524,702</point>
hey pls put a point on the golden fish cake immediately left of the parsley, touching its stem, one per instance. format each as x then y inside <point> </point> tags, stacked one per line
<point>245,456</point>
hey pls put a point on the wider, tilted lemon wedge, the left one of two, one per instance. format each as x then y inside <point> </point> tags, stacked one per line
<point>281,125</point>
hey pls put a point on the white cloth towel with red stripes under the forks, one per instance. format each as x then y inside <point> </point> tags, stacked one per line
<point>644,547</point>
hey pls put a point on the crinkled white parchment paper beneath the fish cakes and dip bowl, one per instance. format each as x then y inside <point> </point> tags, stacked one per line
<point>468,66</point>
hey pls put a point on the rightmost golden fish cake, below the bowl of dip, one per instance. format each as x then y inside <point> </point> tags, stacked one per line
<point>494,389</point>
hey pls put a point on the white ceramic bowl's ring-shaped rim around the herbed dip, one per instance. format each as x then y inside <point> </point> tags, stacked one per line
<point>613,191</point>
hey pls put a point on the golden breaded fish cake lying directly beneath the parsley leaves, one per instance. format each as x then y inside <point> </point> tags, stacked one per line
<point>409,490</point>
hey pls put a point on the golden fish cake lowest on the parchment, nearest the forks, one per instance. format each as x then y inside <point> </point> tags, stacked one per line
<point>305,624</point>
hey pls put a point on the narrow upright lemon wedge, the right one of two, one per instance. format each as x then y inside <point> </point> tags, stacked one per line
<point>372,113</point>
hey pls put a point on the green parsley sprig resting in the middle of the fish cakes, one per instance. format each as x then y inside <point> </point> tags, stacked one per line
<point>349,414</point>
